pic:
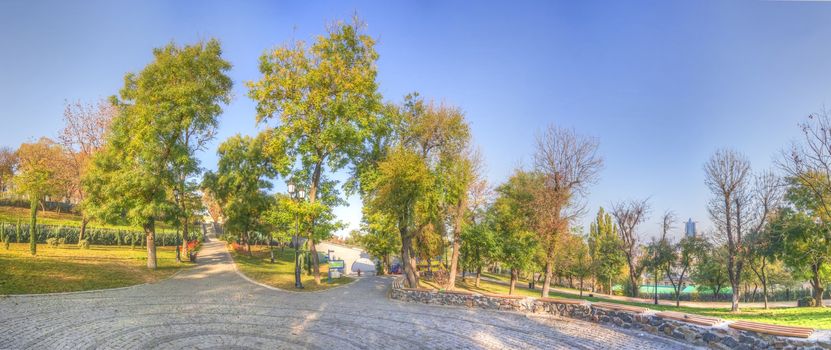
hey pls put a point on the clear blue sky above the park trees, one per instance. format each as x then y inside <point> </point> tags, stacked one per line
<point>660,84</point>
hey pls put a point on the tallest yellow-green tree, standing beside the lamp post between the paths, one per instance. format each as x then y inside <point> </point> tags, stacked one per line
<point>325,98</point>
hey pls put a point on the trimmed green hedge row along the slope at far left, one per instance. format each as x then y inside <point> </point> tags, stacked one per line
<point>98,236</point>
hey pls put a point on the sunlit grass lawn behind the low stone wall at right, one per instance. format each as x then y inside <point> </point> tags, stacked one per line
<point>792,316</point>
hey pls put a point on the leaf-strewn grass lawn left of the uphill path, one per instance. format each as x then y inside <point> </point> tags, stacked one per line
<point>69,268</point>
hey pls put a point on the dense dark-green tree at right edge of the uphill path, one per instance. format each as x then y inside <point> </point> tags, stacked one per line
<point>240,184</point>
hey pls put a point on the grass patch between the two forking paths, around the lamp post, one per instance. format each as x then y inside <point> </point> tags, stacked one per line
<point>280,274</point>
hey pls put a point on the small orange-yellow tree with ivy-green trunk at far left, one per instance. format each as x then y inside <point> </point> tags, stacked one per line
<point>38,177</point>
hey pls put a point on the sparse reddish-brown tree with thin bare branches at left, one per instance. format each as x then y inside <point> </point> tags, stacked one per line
<point>85,130</point>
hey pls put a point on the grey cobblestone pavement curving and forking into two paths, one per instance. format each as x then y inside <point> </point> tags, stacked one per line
<point>211,307</point>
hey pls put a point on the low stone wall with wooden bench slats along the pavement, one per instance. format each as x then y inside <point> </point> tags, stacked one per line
<point>716,337</point>
